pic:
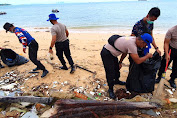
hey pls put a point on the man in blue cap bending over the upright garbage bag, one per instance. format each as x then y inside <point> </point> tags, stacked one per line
<point>124,46</point>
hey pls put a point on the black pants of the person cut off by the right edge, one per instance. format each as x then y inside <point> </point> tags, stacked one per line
<point>173,57</point>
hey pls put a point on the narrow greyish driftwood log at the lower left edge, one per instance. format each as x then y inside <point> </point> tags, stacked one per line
<point>31,99</point>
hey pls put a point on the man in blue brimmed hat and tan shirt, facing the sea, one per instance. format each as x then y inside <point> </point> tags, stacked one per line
<point>59,39</point>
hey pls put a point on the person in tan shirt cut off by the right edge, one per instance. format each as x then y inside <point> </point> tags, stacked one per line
<point>169,43</point>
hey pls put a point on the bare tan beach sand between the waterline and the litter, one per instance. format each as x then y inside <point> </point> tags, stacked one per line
<point>85,50</point>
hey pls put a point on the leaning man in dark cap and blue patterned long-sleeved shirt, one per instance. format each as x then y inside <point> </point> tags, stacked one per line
<point>27,40</point>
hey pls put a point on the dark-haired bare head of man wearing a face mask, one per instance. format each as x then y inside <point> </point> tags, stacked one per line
<point>153,14</point>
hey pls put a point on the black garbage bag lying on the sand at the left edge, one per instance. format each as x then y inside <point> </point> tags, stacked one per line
<point>10,58</point>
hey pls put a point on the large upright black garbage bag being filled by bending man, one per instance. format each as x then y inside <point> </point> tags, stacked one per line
<point>141,78</point>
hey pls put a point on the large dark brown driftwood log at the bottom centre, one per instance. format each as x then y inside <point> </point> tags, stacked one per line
<point>94,109</point>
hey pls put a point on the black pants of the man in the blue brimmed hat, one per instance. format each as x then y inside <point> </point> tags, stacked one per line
<point>63,47</point>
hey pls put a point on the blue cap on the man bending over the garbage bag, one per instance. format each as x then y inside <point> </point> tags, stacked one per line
<point>147,38</point>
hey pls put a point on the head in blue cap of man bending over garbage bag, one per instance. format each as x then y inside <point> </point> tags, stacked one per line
<point>144,41</point>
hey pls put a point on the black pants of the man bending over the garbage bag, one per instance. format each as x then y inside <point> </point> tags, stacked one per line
<point>111,67</point>
